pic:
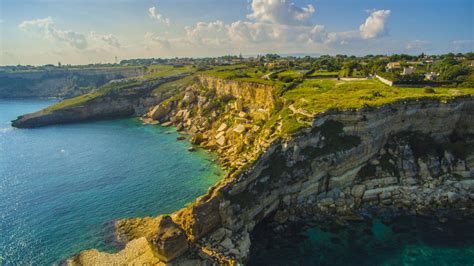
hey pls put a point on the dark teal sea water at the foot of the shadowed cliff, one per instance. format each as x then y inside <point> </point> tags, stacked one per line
<point>407,240</point>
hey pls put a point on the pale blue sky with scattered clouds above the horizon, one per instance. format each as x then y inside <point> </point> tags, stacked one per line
<point>41,32</point>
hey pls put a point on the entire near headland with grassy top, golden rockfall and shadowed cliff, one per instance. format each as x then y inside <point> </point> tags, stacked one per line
<point>301,150</point>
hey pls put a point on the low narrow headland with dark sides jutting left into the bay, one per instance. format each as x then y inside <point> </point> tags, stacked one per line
<point>128,101</point>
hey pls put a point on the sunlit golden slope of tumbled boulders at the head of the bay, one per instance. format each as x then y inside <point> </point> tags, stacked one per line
<point>222,115</point>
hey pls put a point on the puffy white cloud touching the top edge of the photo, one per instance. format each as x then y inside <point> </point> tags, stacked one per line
<point>280,12</point>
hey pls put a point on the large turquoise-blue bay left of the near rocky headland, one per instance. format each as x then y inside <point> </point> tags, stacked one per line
<point>60,186</point>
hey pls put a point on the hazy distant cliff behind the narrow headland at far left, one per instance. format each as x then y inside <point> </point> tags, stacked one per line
<point>59,83</point>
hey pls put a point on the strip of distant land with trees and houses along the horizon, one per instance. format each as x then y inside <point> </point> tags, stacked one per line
<point>399,69</point>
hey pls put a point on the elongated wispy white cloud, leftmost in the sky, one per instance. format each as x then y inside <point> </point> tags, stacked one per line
<point>47,29</point>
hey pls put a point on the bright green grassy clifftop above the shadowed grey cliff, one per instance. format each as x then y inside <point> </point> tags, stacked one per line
<point>315,96</point>
